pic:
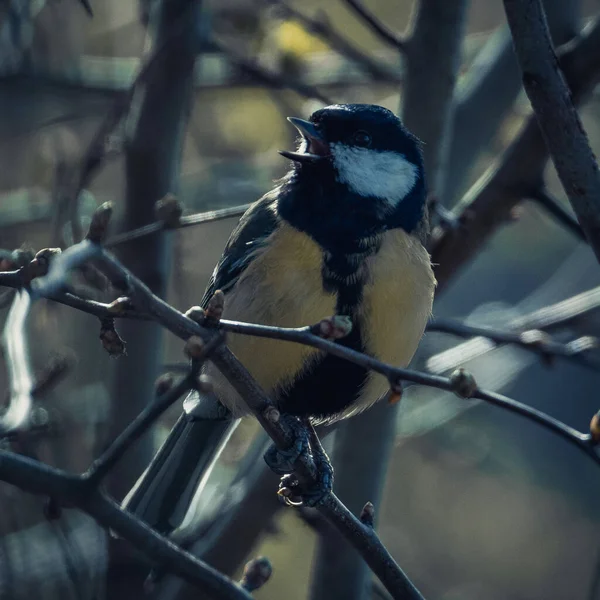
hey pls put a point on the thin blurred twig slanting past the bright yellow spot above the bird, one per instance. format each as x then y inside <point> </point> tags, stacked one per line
<point>337,42</point>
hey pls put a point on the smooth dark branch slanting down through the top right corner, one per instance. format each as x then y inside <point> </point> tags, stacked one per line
<point>555,112</point>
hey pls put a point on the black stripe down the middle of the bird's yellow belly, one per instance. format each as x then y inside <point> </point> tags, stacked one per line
<point>330,385</point>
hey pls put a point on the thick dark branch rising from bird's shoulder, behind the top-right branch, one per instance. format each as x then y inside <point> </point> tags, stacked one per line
<point>489,203</point>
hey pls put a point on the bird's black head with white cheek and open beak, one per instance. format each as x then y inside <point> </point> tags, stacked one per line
<point>366,153</point>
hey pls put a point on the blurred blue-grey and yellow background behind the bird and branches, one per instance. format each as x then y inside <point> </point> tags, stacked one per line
<point>477,503</point>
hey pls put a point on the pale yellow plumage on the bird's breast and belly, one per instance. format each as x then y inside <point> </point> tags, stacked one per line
<point>283,286</point>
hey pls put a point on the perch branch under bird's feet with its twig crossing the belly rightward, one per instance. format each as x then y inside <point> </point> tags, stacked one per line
<point>360,535</point>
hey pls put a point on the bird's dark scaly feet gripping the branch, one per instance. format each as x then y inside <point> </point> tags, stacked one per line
<point>291,490</point>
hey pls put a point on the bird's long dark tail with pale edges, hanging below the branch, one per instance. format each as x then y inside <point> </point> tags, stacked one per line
<point>162,495</point>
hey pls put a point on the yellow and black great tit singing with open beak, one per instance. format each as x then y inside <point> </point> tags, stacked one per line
<point>342,233</point>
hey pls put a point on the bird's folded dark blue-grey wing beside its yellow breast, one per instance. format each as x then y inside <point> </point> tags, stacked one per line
<point>256,224</point>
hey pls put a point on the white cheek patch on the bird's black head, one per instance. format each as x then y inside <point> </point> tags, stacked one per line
<point>385,175</point>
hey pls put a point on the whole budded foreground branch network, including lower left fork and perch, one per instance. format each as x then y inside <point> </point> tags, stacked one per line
<point>323,336</point>
